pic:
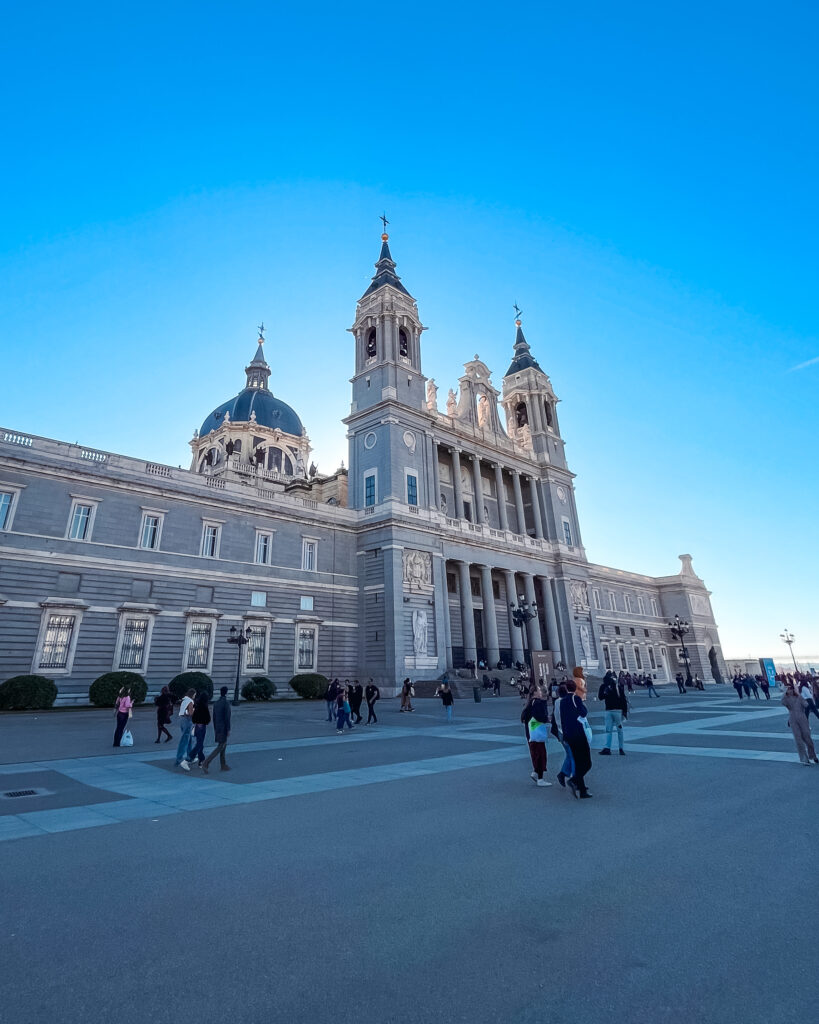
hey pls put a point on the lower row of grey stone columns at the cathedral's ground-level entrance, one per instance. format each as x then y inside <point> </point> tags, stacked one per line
<point>533,587</point>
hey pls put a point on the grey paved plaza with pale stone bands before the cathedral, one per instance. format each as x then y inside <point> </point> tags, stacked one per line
<point>410,871</point>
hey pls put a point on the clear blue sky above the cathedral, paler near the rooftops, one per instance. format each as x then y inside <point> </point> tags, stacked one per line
<point>641,179</point>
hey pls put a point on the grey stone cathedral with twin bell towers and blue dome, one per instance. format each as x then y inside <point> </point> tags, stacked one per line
<point>452,540</point>
